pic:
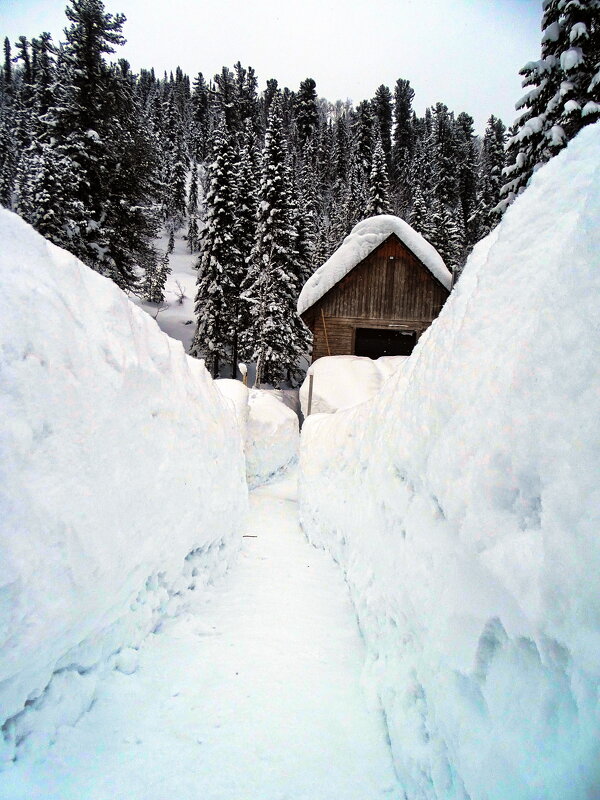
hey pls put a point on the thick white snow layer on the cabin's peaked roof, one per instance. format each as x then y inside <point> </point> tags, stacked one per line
<point>361,241</point>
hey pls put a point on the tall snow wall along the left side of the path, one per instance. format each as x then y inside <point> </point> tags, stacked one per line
<point>122,484</point>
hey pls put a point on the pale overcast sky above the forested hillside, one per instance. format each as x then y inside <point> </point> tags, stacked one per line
<point>465,53</point>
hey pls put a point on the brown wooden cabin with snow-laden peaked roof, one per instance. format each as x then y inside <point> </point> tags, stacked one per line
<point>380,305</point>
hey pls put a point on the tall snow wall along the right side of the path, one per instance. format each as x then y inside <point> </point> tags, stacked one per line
<point>463,503</point>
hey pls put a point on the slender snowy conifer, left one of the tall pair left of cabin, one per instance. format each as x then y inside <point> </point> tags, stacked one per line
<point>219,258</point>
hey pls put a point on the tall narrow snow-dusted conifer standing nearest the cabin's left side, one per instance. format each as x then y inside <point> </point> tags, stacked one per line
<point>278,334</point>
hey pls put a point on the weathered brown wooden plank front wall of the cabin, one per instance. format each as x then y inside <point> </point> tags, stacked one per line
<point>390,288</point>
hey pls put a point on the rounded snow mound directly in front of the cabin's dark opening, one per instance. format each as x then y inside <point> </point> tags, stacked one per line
<point>343,381</point>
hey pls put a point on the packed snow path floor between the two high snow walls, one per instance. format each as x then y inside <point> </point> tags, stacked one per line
<point>256,695</point>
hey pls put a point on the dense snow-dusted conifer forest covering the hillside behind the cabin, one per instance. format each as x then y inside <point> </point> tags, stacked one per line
<point>267,184</point>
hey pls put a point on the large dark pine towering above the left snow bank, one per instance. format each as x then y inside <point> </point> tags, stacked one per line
<point>102,158</point>
